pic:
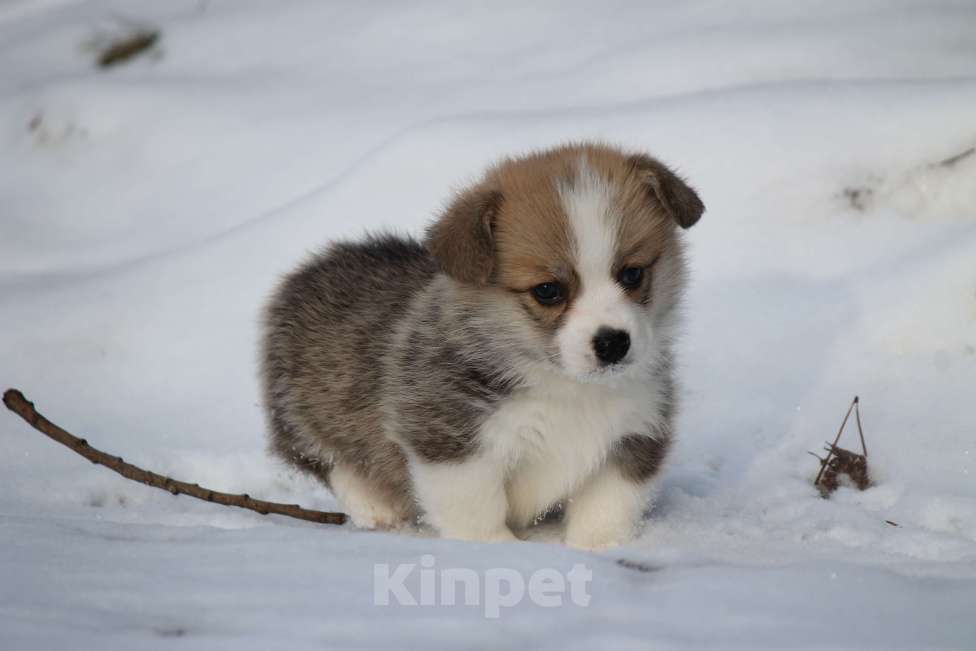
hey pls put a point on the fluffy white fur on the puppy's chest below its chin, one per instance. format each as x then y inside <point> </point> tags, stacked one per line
<point>552,436</point>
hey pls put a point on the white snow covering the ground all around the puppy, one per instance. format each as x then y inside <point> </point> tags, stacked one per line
<point>147,210</point>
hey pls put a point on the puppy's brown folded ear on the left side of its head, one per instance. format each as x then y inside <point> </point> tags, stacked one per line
<point>462,241</point>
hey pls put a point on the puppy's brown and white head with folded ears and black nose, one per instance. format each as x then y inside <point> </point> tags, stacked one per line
<point>584,242</point>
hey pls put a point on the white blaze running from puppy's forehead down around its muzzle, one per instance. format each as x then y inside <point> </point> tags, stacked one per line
<point>590,208</point>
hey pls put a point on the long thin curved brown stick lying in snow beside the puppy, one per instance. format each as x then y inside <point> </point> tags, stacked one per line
<point>17,403</point>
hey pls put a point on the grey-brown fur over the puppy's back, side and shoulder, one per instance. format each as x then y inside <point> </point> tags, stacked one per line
<point>332,372</point>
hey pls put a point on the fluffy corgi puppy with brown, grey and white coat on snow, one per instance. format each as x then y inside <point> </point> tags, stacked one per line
<point>516,360</point>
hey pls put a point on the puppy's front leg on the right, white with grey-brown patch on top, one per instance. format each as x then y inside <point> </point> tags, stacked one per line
<point>608,508</point>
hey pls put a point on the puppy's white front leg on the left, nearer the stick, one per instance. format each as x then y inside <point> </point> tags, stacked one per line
<point>464,500</point>
